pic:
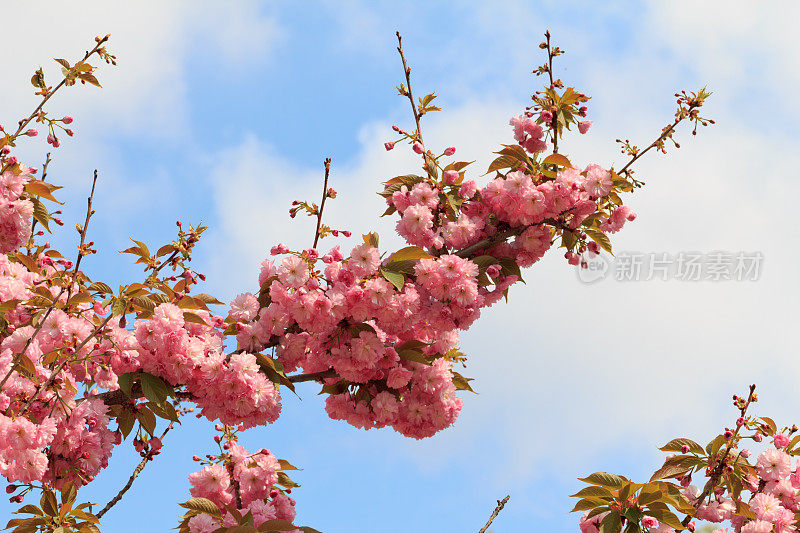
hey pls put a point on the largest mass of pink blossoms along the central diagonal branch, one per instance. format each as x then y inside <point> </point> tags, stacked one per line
<point>331,312</point>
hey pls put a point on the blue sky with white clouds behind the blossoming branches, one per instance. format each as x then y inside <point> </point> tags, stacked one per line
<point>224,112</point>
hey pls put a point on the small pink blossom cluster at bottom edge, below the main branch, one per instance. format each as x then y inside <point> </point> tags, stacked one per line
<point>242,480</point>
